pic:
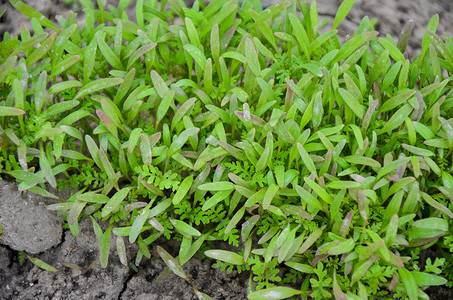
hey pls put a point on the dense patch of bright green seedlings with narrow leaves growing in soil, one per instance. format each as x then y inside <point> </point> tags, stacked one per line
<point>327,165</point>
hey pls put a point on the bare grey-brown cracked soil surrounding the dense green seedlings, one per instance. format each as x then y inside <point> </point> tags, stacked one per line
<point>29,226</point>
